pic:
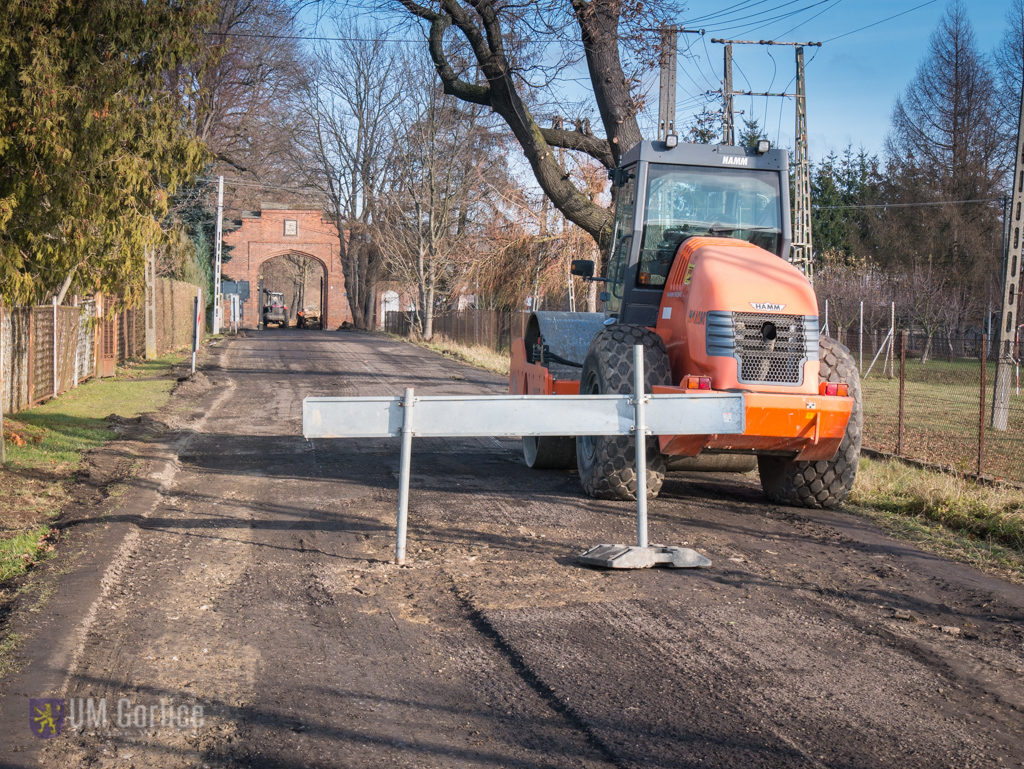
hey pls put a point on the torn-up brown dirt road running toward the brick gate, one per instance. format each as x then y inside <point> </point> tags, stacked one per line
<point>255,584</point>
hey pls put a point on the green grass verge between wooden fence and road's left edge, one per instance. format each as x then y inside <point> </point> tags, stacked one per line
<point>46,447</point>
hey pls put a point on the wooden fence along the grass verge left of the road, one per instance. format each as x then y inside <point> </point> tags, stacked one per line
<point>47,351</point>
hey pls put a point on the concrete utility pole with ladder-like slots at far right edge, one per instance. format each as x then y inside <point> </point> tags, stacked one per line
<point>1011,266</point>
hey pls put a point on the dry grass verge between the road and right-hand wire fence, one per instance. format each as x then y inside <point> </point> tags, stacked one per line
<point>977,524</point>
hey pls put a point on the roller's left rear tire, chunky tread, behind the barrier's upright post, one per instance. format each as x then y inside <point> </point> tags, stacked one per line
<point>608,463</point>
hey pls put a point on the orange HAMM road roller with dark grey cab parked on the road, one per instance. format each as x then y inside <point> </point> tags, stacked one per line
<point>699,274</point>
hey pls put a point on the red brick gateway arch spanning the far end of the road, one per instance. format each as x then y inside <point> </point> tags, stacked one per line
<point>270,233</point>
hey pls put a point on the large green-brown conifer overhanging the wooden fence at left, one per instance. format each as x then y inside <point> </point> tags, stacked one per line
<point>94,140</point>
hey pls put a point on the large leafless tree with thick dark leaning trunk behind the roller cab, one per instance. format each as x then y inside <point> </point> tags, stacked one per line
<point>501,41</point>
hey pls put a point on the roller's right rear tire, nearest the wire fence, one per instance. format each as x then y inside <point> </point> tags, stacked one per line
<point>827,483</point>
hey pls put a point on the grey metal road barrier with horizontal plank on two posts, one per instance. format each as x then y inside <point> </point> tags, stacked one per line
<point>639,415</point>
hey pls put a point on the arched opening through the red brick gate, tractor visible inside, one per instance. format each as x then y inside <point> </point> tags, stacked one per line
<point>293,291</point>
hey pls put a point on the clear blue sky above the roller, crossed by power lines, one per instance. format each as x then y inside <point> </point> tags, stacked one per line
<point>851,81</point>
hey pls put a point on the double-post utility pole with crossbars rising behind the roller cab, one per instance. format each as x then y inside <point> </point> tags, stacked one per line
<point>802,250</point>
